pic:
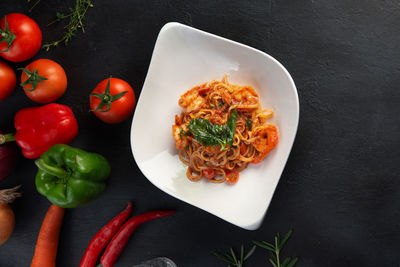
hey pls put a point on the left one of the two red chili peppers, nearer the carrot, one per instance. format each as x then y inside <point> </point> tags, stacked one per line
<point>100,240</point>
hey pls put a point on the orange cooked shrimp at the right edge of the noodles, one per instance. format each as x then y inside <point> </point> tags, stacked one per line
<point>266,140</point>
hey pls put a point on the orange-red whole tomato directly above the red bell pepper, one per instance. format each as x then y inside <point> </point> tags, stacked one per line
<point>44,81</point>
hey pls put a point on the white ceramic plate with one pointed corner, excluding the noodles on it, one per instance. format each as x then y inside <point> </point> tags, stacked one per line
<point>184,57</point>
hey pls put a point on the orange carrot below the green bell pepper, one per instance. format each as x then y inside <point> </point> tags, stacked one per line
<point>47,243</point>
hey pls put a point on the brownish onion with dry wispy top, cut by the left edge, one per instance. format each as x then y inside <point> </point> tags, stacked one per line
<point>7,218</point>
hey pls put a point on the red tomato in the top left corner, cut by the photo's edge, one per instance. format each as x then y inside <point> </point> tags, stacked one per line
<point>21,35</point>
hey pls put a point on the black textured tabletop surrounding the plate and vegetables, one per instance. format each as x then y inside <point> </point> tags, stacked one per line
<point>340,188</point>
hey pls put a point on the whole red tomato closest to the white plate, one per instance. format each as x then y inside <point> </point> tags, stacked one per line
<point>112,100</point>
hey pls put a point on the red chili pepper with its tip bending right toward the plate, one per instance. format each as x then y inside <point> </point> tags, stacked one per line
<point>117,244</point>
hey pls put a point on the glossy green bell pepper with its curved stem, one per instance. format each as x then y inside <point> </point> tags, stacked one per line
<point>70,177</point>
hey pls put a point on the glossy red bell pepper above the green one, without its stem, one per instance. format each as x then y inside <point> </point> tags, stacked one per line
<point>39,128</point>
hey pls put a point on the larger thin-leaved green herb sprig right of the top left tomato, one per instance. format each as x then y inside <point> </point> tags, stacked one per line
<point>76,15</point>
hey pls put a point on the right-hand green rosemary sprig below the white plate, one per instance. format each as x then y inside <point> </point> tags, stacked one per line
<point>275,251</point>
